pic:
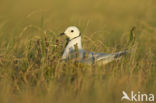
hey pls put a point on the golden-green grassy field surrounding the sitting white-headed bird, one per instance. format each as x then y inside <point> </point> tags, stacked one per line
<point>30,67</point>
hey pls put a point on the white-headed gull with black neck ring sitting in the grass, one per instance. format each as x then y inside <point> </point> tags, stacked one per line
<point>74,43</point>
